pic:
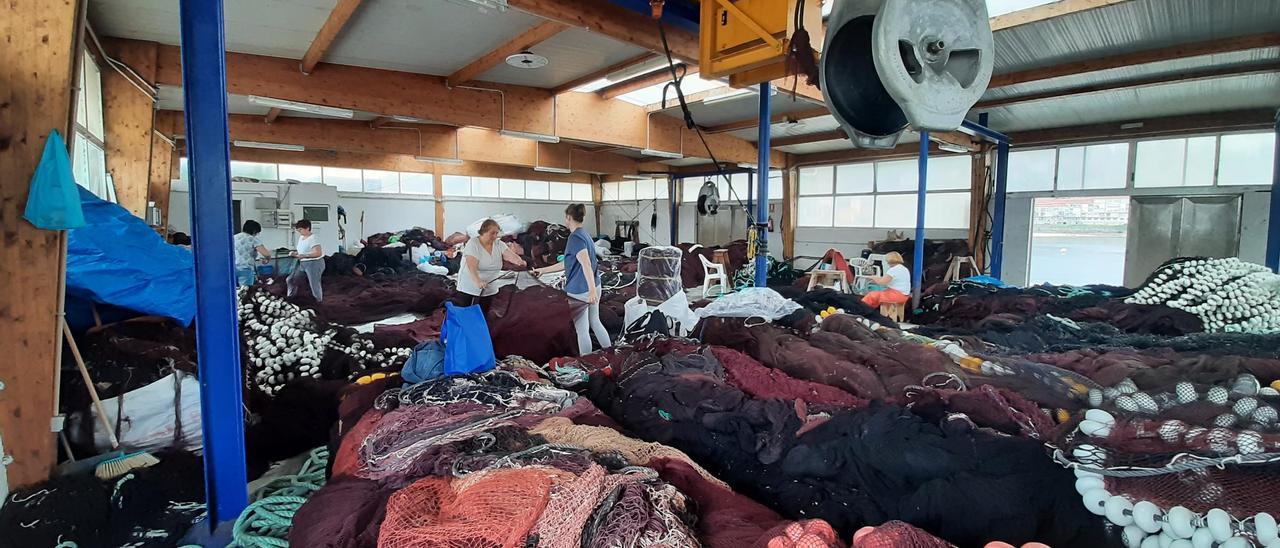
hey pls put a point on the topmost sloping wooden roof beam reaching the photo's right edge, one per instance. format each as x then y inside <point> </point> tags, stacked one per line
<point>1137,58</point>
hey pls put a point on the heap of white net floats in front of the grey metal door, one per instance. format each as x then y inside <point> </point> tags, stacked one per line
<point>1228,295</point>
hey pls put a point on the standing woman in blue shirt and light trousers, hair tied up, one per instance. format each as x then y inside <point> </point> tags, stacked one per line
<point>582,281</point>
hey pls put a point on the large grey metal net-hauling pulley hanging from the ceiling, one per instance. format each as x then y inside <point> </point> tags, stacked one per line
<point>892,65</point>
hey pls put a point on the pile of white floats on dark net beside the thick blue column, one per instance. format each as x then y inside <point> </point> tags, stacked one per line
<point>284,342</point>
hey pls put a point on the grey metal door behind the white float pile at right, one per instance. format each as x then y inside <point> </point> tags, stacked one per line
<point>1168,227</point>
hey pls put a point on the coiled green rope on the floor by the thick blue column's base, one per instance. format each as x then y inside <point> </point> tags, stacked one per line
<point>267,522</point>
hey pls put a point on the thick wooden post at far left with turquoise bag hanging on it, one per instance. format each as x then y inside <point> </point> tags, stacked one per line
<point>36,66</point>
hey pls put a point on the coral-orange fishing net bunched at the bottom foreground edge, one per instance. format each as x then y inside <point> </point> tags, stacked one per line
<point>495,510</point>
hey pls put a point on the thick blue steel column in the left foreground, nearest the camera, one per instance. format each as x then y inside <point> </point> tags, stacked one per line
<point>204,81</point>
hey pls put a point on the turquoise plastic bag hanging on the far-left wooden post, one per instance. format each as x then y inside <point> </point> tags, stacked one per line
<point>54,202</point>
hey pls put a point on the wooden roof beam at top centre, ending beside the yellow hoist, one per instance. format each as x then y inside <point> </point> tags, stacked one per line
<point>616,22</point>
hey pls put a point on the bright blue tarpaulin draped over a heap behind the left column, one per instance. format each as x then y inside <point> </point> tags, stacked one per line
<point>118,261</point>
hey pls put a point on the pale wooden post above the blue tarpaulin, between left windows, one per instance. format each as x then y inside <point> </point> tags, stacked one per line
<point>127,118</point>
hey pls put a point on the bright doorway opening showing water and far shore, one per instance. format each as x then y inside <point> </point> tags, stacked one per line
<point>1080,241</point>
